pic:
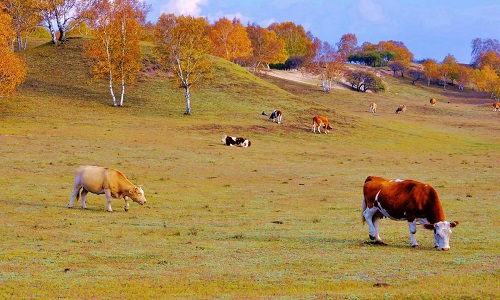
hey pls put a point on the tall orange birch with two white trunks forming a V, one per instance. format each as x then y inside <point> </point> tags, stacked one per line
<point>115,44</point>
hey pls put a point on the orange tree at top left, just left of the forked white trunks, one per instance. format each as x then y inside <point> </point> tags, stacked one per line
<point>25,19</point>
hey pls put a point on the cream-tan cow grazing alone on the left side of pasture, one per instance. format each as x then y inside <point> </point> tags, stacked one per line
<point>111,182</point>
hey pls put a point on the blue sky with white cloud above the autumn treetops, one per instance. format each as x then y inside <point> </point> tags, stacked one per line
<point>429,28</point>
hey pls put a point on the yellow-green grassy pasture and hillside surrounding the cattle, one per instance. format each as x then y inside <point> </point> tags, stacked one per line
<point>278,220</point>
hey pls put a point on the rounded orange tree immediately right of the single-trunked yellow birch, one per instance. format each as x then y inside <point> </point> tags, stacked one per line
<point>230,40</point>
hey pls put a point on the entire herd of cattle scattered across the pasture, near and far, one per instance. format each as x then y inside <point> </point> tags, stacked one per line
<point>410,200</point>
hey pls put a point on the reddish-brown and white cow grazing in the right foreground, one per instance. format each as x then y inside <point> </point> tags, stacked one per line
<point>405,200</point>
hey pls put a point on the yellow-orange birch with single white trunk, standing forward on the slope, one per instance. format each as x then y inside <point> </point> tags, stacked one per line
<point>182,46</point>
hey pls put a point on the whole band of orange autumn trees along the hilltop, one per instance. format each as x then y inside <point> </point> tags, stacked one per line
<point>185,46</point>
